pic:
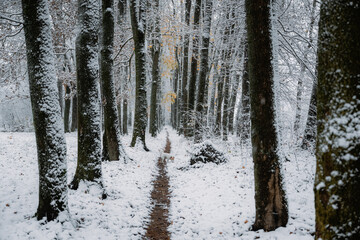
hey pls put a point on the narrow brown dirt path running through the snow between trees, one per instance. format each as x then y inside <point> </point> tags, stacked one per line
<point>159,222</point>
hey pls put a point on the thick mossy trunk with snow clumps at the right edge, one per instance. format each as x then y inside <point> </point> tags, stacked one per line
<point>337,179</point>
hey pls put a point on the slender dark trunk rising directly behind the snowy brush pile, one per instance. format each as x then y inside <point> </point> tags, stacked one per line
<point>204,69</point>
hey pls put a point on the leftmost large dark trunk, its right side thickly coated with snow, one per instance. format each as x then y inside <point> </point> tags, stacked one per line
<point>51,147</point>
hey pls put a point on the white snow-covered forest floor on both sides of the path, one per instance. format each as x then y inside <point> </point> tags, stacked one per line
<point>208,202</point>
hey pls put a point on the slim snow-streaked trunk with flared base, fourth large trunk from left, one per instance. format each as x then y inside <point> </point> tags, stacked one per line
<point>138,29</point>
